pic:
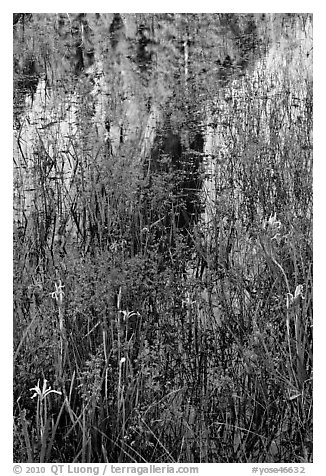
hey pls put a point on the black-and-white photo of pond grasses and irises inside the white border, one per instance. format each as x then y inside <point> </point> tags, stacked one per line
<point>163,238</point>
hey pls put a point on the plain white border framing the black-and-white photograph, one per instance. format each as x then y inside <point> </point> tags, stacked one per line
<point>319,199</point>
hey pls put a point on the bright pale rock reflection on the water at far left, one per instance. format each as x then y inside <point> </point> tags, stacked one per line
<point>35,147</point>
